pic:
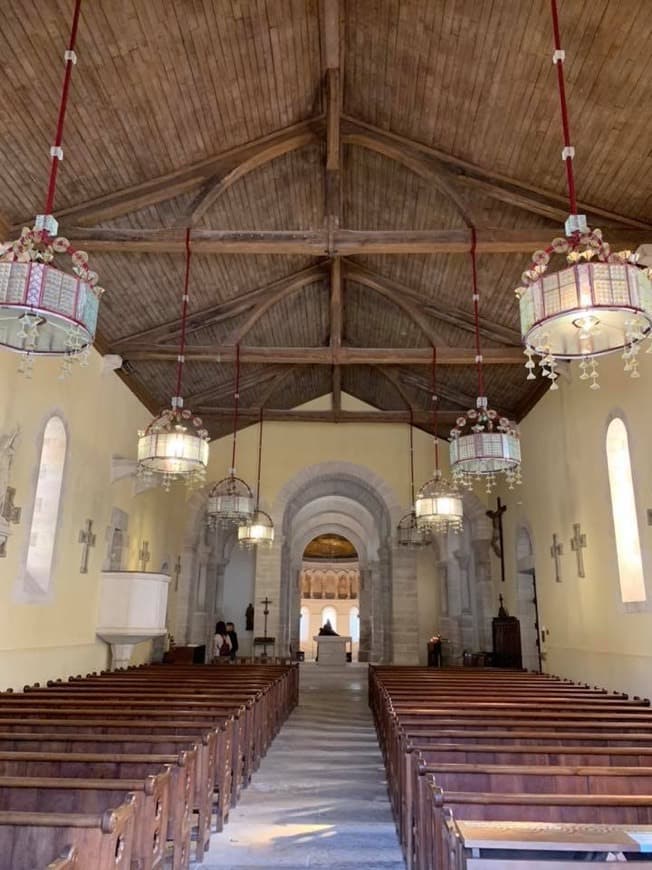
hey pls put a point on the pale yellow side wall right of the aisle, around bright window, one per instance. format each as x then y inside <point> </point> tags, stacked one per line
<point>592,636</point>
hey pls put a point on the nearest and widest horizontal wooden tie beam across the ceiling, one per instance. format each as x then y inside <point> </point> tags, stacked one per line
<point>315,243</point>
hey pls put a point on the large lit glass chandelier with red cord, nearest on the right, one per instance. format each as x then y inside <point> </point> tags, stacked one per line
<point>599,303</point>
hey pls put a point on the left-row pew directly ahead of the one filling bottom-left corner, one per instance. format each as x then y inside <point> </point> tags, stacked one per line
<point>151,798</point>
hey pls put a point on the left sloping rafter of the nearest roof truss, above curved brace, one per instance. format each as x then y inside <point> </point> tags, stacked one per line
<point>172,184</point>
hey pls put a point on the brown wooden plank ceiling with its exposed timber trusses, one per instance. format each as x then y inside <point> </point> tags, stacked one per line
<point>330,157</point>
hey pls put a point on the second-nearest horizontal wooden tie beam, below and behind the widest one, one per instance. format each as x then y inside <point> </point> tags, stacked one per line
<point>212,353</point>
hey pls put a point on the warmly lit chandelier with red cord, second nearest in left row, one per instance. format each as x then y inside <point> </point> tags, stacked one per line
<point>175,444</point>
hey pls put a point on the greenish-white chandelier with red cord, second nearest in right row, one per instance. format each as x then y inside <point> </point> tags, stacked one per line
<point>483,443</point>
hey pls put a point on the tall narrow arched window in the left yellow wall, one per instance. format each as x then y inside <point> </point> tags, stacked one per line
<point>45,516</point>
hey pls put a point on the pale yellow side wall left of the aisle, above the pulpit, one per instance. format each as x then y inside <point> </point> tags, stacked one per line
<point>54,639</point>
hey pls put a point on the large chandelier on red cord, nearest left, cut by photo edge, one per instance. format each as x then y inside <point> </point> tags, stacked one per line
<point>43,309</point>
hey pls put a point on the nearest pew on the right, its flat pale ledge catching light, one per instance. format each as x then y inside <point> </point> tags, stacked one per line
<point>472,845</point>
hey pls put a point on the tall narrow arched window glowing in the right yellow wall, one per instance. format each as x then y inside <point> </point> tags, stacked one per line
<point>623,508</point>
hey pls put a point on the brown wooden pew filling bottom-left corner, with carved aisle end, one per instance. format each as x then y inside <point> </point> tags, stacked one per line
<point>101,842</point>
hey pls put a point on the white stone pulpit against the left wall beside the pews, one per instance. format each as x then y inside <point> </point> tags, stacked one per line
<point>133,605</point>
